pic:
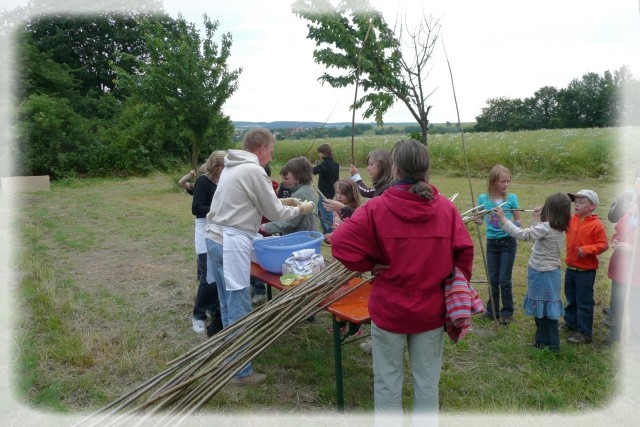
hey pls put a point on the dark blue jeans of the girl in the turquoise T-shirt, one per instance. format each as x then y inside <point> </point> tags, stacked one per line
<point>501,254</point>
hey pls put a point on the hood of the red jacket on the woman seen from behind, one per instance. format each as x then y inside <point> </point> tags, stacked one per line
<point>409,207</point>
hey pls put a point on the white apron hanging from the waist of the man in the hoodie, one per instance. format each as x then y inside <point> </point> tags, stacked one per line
<point>236,258</point>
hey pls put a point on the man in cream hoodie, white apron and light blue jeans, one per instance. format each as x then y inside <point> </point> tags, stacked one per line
<point>244,195</point>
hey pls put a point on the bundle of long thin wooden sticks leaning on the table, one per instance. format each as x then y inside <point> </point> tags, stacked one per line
<point>196,376</point>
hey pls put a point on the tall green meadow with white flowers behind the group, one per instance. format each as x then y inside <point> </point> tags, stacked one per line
<point>546,154</point>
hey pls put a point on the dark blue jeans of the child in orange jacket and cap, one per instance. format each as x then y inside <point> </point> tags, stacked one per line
<point>578,289</point>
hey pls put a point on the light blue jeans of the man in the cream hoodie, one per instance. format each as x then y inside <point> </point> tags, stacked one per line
<point>234,305</point>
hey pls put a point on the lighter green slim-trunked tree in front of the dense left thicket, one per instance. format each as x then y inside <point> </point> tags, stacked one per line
<point>186,77</point>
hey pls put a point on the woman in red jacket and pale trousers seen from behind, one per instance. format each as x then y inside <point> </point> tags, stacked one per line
<point>410,238</point>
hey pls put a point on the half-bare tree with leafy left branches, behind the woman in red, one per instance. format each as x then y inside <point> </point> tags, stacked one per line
<point>355,38</point>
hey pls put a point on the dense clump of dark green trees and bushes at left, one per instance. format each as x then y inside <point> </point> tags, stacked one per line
<point>116,92</point>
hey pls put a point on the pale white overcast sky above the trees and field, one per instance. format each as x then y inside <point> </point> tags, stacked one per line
<point>496,48</point>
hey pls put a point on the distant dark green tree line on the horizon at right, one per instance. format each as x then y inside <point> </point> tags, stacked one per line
<point>591,101</point>
